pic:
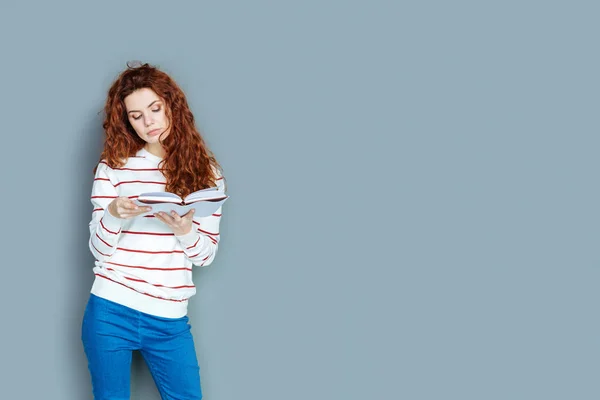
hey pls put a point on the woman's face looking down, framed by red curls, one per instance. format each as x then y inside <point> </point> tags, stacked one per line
<point>146,114</point>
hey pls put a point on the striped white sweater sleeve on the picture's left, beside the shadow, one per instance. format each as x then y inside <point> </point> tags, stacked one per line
<point>105,229</point>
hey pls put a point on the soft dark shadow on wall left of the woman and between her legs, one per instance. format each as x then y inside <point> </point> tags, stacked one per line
<point>82,262</point>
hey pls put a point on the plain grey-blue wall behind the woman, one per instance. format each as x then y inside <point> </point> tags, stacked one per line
<point>414,193</point>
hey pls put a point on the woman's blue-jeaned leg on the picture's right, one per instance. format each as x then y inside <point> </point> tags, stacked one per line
<point>168,349</point>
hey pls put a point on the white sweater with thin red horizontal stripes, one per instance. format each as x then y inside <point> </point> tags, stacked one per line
<point>140,263</point>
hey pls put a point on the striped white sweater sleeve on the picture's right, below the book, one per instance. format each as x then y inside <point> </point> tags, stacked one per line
<point>200,245</point>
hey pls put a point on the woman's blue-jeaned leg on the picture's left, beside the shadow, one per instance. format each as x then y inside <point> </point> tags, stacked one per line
<point>109,335</point>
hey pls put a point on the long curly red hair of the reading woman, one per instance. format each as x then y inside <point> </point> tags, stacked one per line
<point>188,164</point>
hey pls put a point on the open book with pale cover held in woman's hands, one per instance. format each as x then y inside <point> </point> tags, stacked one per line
<point>204,201</point>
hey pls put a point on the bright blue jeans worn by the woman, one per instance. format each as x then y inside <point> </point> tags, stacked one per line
<point>111,332</point>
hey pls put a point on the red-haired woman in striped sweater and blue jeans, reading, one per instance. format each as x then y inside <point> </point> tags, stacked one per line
<point>143,268</point>
